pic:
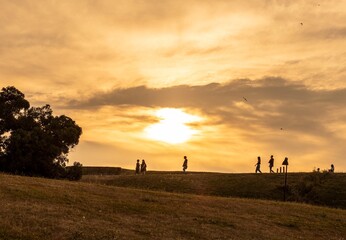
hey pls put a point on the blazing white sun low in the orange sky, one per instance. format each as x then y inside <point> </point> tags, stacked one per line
<point>172,126</point>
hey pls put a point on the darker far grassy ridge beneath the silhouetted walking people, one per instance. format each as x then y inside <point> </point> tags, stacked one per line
<point>326,189</point>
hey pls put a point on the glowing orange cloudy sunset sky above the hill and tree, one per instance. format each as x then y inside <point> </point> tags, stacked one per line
<point>221,82</point>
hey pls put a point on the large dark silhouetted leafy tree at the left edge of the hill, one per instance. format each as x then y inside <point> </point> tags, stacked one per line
<point>32,141</point>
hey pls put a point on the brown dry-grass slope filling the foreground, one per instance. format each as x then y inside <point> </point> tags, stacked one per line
<point>36,208</point>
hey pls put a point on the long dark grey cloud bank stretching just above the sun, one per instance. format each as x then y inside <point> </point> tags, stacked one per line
<point>272,103</point>
